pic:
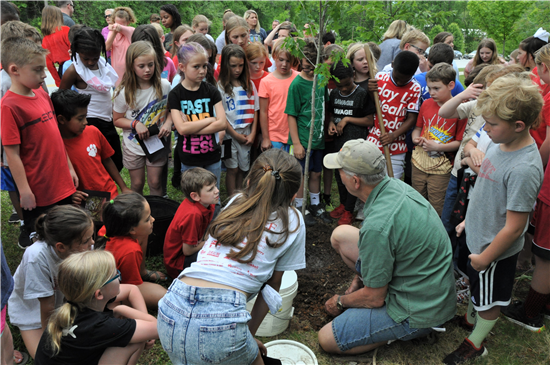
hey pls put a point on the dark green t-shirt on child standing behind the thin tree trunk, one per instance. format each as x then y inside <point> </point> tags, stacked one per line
<point>298,104</point>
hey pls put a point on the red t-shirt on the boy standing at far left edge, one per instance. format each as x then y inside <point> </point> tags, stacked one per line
<point>30,123</point>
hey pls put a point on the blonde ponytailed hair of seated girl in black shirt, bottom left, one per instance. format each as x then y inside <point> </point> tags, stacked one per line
<point>79,276</point>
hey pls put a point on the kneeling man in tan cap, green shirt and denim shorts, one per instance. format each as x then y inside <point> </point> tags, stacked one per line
<point>402,255</point>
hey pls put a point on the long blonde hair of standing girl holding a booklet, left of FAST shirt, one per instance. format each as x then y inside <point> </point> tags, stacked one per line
<point>129,81</point>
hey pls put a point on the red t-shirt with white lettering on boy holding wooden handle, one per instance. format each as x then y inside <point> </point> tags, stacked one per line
<point>395,102</point>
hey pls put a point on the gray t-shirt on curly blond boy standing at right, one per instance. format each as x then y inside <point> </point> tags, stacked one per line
<point>506,181</point>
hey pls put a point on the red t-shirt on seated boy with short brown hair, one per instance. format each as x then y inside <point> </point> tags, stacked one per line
<point>188,227</point>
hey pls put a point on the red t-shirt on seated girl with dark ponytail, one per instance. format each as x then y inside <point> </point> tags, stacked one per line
<point>128,257</point>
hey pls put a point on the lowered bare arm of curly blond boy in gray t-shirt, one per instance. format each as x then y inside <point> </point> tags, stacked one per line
<point>512,230</point>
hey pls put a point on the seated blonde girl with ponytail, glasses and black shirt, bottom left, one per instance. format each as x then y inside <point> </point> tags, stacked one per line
<point>84,330</point>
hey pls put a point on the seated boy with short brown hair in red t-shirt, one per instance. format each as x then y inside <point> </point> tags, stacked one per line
<point>185,236</point>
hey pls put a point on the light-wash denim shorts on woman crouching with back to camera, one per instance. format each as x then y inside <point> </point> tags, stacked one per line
<point>205,326</point>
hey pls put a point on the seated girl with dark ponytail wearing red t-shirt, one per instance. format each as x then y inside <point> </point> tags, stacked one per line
<point>128,224</point>
